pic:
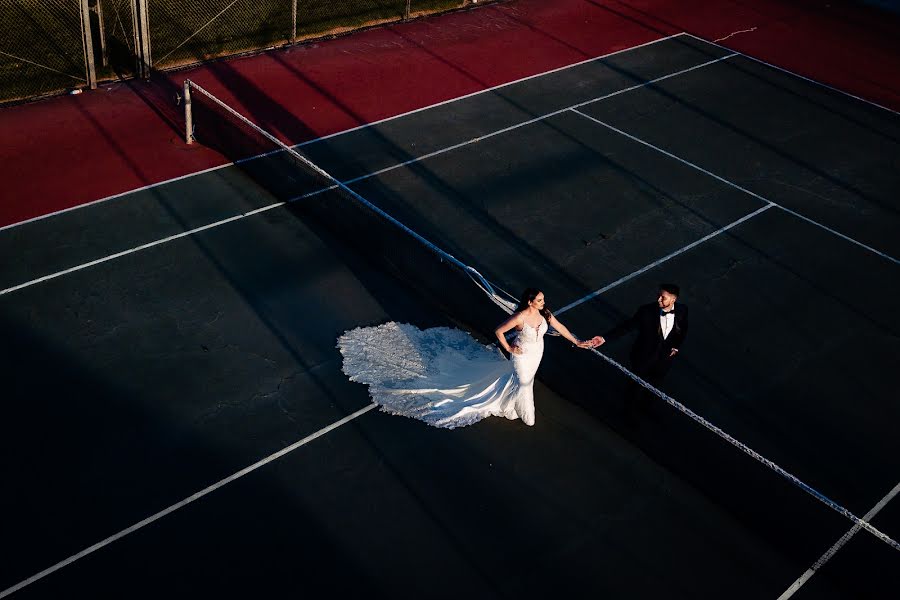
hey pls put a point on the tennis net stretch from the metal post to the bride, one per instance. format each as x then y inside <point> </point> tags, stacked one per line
<point>338,210</point>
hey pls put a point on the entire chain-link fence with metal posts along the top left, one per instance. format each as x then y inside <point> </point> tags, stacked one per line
<point>47,46</point>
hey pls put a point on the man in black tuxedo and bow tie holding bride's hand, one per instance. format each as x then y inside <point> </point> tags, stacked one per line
<point>661,330</point>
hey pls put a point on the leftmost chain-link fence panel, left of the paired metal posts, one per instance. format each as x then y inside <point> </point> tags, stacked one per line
<point>41,48</point>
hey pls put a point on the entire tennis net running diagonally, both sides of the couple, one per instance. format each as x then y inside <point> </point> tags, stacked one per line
<point>320,198</point>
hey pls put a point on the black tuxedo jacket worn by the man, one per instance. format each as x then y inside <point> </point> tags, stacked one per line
<point>650,347</point>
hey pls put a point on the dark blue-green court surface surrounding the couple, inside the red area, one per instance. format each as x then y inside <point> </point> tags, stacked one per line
<point>139,376</point>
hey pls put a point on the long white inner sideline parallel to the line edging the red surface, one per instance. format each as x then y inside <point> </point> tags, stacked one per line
<point>354,180</point>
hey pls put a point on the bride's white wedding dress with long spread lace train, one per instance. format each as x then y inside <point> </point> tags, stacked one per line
<point>443,376</point>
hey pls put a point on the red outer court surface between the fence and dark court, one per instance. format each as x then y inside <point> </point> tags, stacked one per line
<point>71,150</point>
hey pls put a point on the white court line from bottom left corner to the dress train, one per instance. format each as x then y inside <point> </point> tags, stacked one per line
<point>185,502</point>
